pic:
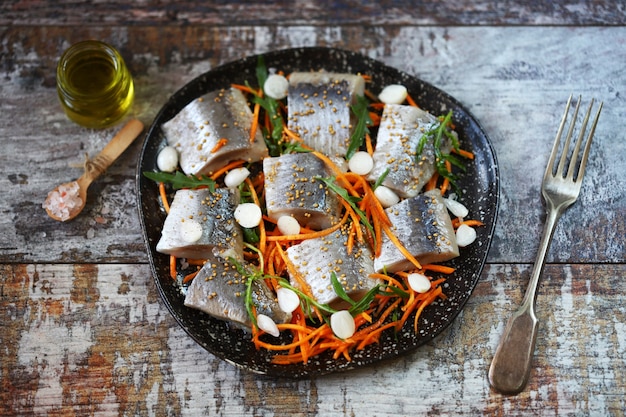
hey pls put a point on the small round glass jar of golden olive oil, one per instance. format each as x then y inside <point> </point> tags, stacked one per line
<point>94,85</point>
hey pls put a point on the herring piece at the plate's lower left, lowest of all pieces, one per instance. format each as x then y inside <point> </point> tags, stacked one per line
<point>219,290</point>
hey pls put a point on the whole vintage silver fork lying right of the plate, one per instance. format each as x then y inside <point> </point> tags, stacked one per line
<point>510,367</point>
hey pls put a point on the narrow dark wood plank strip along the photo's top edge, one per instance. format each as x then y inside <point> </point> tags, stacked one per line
<point>344,12</point>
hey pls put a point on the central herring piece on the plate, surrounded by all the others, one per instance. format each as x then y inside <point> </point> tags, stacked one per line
<point>291,189</point>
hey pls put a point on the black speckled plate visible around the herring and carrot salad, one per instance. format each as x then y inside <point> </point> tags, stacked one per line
<point>481,192</point>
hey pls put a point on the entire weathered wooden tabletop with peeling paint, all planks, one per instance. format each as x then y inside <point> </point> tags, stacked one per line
<point>84,331</point>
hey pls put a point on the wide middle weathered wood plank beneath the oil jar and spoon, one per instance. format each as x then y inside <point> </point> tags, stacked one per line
<point>516,91</point>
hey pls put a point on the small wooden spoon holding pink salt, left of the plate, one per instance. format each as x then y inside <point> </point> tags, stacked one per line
<point>58,197</point>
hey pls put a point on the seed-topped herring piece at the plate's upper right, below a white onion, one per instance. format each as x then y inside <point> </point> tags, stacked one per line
<point>401,128</point>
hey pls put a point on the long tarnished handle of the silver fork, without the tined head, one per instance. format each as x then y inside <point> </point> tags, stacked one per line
<point>510,367</point>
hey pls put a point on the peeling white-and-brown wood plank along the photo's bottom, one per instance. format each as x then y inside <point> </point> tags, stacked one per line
<point>91,339</point>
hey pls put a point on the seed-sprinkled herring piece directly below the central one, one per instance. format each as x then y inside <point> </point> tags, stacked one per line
<point>316,259</point>
